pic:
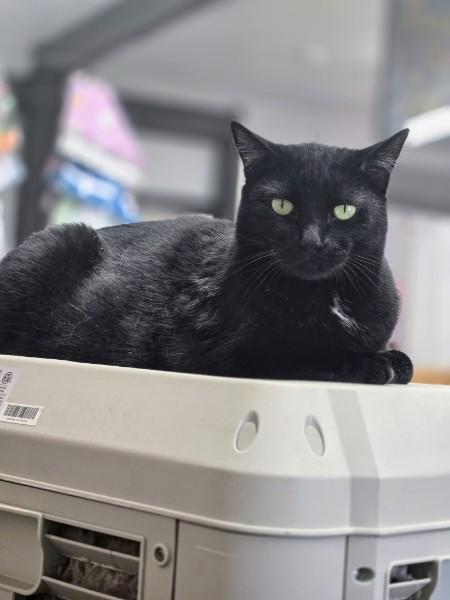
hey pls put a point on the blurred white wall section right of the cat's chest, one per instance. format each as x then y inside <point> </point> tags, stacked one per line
<point>419,252</point>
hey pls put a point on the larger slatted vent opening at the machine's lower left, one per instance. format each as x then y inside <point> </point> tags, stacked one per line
<point>83,564</point>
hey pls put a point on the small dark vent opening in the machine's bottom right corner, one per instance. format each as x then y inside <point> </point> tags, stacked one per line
<point>413,581</point>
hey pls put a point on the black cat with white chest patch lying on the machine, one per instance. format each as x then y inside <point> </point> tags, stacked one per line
<point>297,288</point>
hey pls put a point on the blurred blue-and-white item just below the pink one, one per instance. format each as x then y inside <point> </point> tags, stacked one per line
<point>93,189</point>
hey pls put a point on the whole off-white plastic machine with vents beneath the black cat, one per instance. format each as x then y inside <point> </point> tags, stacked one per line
<point>229,489</point>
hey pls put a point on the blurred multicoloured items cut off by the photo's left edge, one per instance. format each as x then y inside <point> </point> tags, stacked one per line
<point>12,170</point>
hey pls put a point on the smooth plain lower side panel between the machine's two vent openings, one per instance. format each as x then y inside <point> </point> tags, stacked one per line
<point>219,565</point>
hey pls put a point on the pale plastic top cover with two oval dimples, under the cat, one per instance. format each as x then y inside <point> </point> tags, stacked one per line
<point>267,457</point>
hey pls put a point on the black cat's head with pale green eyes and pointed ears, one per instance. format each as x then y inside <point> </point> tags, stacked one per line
<point>314,207</point>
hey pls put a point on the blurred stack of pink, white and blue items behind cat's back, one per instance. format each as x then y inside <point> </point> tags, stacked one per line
<point>98,160</point>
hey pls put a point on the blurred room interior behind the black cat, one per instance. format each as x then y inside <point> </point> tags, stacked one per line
<point>115,111</point>
